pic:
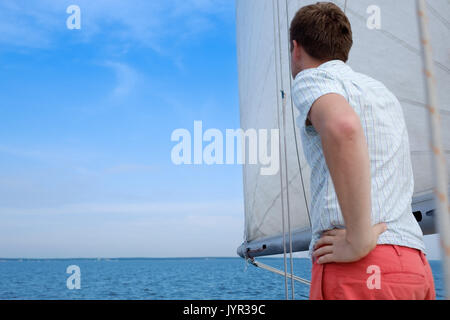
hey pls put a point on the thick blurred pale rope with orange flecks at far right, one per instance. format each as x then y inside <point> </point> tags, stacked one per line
<point>440,169</point>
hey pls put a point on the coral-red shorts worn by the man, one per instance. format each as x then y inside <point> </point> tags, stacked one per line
<point>389,272</point>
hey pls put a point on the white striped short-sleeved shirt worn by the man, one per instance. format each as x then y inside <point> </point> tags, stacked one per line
<point>384,126</point>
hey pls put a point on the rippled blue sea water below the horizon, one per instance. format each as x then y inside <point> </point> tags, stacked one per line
<point>155,279</point>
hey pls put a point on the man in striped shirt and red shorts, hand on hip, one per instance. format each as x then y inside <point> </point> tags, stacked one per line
<point>366,242</point>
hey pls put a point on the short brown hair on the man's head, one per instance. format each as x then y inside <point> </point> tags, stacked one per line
<point>323,30</point>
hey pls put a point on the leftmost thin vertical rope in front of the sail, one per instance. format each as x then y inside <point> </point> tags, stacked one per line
<point>281,167</point>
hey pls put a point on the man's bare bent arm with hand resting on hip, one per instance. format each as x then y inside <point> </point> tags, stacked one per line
<point>346,153</point>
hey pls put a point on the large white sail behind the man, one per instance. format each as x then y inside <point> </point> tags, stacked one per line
<point>391,54</point>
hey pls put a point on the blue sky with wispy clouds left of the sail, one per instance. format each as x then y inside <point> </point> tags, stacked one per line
<point>86,118</point>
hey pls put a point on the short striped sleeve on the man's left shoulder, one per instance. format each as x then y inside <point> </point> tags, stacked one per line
<point>309,86</point>
